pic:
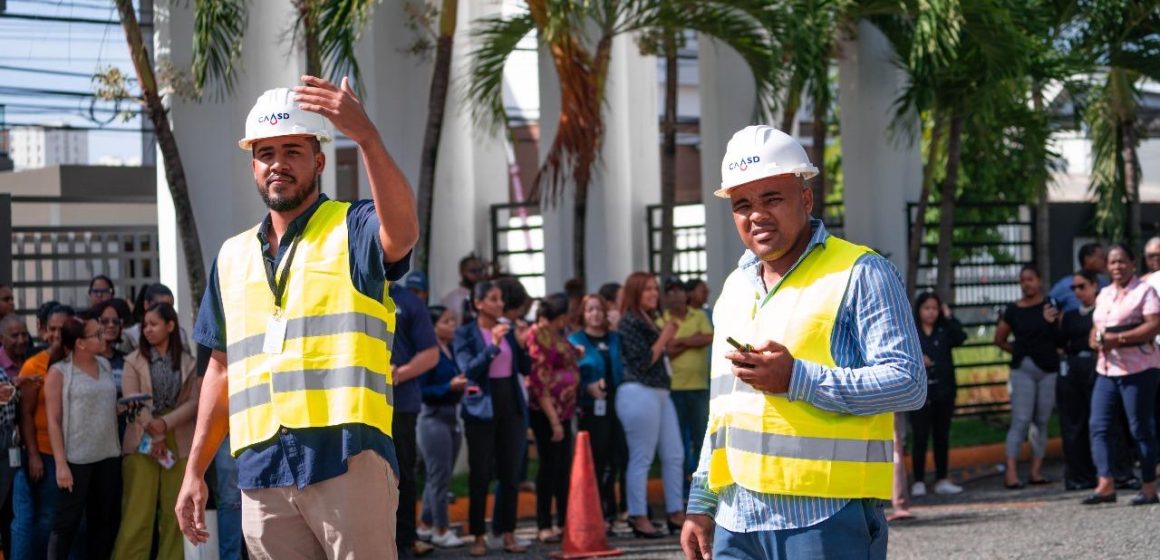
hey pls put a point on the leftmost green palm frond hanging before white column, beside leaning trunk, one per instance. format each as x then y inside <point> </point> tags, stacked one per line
<point>219,30</point>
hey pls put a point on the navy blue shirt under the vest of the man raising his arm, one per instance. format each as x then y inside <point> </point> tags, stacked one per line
<point>306,456</point>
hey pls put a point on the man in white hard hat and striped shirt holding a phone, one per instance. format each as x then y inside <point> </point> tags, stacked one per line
<point>815,348</point>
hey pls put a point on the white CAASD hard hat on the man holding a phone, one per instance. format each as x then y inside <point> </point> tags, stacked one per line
<point>759,152</point>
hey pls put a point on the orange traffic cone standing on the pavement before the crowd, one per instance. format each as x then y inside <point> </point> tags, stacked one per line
<point>584,533</point>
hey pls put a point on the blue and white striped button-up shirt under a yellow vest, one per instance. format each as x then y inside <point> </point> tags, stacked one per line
<point>878,346</point>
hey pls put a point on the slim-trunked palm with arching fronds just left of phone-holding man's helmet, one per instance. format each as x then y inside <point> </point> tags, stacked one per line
<point>730,23</point>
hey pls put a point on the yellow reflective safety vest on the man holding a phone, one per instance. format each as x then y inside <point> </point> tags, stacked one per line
<point>767,443</point>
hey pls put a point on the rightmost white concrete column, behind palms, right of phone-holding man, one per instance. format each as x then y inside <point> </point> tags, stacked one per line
<point>881,172</point>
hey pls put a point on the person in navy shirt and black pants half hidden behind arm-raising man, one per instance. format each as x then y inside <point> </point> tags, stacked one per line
<point>415,353</point>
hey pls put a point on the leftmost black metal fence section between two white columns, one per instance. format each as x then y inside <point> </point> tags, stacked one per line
<point>518,244</point>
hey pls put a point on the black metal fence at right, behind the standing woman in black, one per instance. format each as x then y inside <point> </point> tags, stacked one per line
<point>992,244</point>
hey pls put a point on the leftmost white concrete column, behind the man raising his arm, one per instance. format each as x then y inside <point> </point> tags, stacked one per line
<point>221,184</point>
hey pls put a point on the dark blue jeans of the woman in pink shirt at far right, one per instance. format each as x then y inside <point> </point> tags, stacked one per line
<point>1137,394</point>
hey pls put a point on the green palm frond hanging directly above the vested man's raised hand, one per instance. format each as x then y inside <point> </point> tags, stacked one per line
<point>340,24</point>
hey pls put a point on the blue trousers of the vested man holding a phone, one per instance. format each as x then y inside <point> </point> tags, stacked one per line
<point>859,530</point>
